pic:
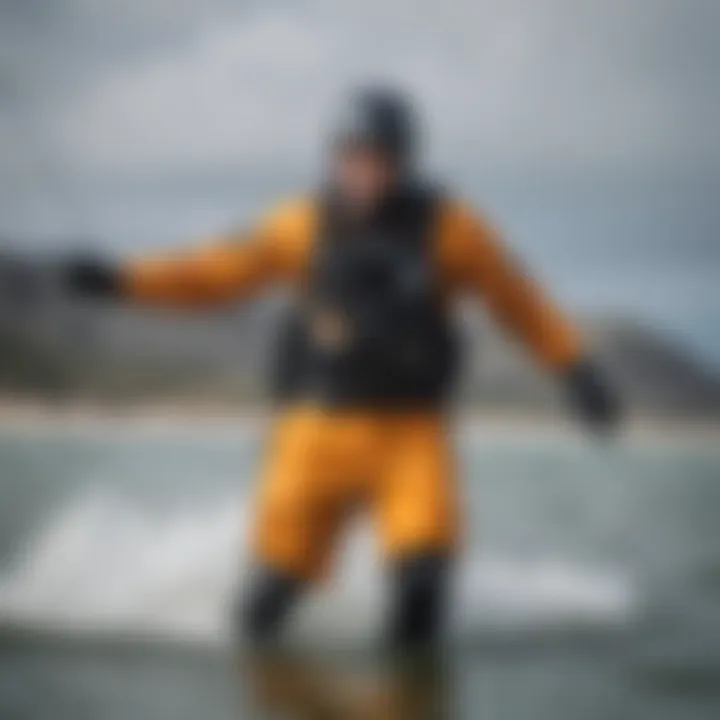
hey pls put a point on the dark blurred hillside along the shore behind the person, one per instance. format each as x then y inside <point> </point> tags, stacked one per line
<point>51,347</point>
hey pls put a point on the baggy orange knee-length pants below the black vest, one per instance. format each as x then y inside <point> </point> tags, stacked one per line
<point>322,466</point>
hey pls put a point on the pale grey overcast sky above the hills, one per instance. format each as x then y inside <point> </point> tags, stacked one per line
<point>589,128</point>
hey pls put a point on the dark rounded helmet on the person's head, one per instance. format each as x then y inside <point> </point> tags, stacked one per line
<point>380,118</point>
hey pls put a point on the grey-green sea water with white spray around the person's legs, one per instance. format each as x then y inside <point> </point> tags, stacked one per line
<point>589,586</point>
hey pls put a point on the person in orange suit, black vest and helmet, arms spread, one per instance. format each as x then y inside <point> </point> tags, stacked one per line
<point>376,257</point>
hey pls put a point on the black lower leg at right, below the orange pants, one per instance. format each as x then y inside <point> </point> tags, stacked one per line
<point>418,600</point>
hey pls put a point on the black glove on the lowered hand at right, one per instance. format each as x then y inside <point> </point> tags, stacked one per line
<point>593,398</point>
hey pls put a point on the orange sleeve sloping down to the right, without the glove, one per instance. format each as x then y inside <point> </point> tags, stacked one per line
<point>473,258</point>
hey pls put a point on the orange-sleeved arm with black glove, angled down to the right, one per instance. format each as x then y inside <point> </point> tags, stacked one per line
<point>474,259</point>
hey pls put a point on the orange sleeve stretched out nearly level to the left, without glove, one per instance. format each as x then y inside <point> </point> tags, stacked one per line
<point>227,268</point>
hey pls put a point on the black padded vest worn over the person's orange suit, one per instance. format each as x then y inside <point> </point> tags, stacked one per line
<point>371,329</point>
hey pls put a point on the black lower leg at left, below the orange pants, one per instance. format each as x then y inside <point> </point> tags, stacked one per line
<point>270,598</point>
